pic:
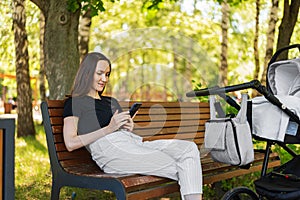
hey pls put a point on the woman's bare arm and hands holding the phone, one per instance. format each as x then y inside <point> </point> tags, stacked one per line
<point>74,141</point>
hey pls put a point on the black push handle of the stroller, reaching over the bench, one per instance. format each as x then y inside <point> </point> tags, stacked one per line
<point>254,84</point>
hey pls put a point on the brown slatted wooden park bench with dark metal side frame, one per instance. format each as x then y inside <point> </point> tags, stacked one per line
<point>155,120</point>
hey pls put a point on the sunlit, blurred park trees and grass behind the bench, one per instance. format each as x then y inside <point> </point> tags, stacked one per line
<point>159,49</point>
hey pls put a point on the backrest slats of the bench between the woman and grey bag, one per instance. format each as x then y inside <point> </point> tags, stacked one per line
<point>168,120</point>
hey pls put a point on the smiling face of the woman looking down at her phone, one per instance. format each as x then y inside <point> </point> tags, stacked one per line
<point>101,76</point>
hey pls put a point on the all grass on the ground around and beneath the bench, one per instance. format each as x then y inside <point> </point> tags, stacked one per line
<point>33,174</point>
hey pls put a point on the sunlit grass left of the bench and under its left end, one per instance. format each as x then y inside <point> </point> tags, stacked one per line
<point>33,175</point>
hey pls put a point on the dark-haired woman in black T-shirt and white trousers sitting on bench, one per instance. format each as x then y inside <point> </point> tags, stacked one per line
<point>98,122</point>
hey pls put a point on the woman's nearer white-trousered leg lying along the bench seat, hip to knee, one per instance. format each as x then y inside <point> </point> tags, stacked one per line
<point>124,155</point>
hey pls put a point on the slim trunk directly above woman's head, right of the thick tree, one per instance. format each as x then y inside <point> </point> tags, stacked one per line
<point>84,33</point>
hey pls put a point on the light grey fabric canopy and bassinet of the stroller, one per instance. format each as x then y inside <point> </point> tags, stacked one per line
<point>269,121</point>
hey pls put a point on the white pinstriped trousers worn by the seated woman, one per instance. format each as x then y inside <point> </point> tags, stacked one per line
<point>125,153</point>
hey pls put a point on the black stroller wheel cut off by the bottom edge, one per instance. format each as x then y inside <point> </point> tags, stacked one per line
<point>240,193</point>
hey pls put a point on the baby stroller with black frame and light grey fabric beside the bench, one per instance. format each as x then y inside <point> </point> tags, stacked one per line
<point>283,84</point>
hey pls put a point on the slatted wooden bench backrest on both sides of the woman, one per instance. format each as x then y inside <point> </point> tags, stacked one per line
<point>154,120</point>
